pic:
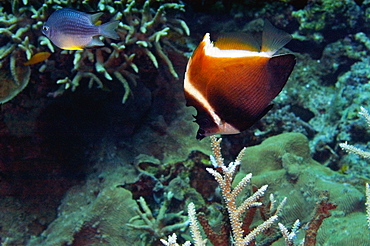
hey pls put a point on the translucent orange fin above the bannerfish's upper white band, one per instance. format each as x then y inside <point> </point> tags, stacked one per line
<point>237,41</point>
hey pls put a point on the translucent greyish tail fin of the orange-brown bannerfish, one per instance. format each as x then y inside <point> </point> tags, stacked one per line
<point>273,39</point>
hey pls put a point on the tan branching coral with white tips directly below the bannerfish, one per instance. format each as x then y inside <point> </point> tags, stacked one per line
<point>224,175</point>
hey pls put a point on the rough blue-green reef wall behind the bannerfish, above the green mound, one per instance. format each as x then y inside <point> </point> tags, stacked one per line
<point>329,82</point>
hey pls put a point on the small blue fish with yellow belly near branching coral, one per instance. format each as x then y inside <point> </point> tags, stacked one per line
<point>70,29</point>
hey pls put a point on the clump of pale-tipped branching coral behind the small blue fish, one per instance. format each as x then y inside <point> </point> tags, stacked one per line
<point>143,30</point>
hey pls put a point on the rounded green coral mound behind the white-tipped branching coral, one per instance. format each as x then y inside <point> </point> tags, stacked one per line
<point>284,163</point>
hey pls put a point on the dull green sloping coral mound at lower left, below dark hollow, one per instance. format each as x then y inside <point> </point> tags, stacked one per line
<point>102,214</point>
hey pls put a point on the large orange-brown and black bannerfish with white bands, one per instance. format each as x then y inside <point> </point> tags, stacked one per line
<point>232,82</point>
